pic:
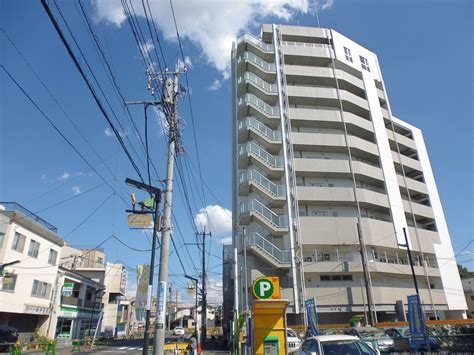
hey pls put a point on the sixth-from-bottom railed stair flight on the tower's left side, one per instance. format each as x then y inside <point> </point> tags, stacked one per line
<point>251,105</point>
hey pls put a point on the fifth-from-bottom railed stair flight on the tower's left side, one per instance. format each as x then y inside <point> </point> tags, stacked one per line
<point>250,127</point>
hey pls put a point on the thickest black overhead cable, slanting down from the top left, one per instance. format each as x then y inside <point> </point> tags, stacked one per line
<point>89,85</point>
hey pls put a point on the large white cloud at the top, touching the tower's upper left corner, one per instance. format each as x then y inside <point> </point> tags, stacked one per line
<point>210,25</point>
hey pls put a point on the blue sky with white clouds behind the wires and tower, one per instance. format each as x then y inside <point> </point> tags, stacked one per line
<point>424,48</point>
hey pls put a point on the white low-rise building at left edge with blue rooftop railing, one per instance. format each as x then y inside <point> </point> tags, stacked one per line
<point>25,296</point>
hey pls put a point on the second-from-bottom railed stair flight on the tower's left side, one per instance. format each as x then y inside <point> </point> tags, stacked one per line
<point>251,209</point>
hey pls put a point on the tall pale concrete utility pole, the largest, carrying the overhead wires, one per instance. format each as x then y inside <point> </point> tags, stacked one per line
<point>165,235</point>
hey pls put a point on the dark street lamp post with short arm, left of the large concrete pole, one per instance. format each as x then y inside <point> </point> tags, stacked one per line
<point>156,192</point>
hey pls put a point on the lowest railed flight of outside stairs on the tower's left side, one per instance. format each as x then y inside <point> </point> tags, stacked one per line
<point>268,251</point>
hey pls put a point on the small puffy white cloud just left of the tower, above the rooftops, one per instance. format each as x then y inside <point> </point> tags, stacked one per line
<point>214,218</point>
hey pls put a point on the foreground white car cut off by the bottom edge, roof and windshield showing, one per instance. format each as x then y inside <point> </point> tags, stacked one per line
<point>336,344</point>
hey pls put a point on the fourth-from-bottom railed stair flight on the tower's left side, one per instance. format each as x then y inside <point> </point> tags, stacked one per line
<point>251,150</point>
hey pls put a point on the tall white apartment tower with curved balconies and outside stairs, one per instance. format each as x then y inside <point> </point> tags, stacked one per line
<point>317,152</point>
